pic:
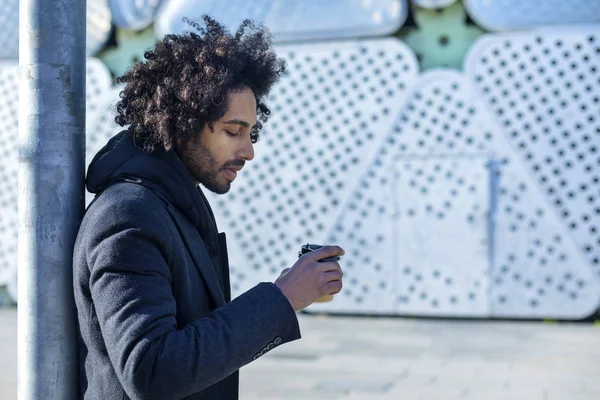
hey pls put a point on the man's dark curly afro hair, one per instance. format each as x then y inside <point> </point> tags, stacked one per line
<point>186,80</point>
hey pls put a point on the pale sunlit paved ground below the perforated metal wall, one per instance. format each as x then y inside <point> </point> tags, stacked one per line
<point>407,359</point>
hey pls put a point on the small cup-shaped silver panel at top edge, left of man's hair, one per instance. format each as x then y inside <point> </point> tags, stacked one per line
<point>133,14</point>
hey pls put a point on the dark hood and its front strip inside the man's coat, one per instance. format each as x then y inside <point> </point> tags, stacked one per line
<point>164,173</point>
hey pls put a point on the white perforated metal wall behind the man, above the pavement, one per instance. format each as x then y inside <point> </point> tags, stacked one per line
<point>454,194</point>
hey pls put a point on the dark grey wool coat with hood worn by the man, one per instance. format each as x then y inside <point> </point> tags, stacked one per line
<point>151,287</point>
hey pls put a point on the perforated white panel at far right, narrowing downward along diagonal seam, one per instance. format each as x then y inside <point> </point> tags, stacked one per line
<point>543,89</point>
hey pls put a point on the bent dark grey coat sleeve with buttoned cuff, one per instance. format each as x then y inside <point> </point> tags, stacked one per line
<point>128,252</point>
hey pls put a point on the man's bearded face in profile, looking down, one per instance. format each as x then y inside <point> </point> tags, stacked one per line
<point>215,158</point>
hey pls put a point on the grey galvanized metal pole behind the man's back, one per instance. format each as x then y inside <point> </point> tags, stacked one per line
<point>51,197</point>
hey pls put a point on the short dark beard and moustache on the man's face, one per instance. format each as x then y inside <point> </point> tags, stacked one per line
<point>204,168</point>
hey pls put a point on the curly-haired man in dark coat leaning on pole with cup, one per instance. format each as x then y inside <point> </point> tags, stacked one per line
<point>151,275</point>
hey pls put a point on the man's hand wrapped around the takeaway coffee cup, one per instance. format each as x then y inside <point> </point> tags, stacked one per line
<point>309,279</point>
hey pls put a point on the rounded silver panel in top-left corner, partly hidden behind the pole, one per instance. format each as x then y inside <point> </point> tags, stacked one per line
<point>98,27</point>
